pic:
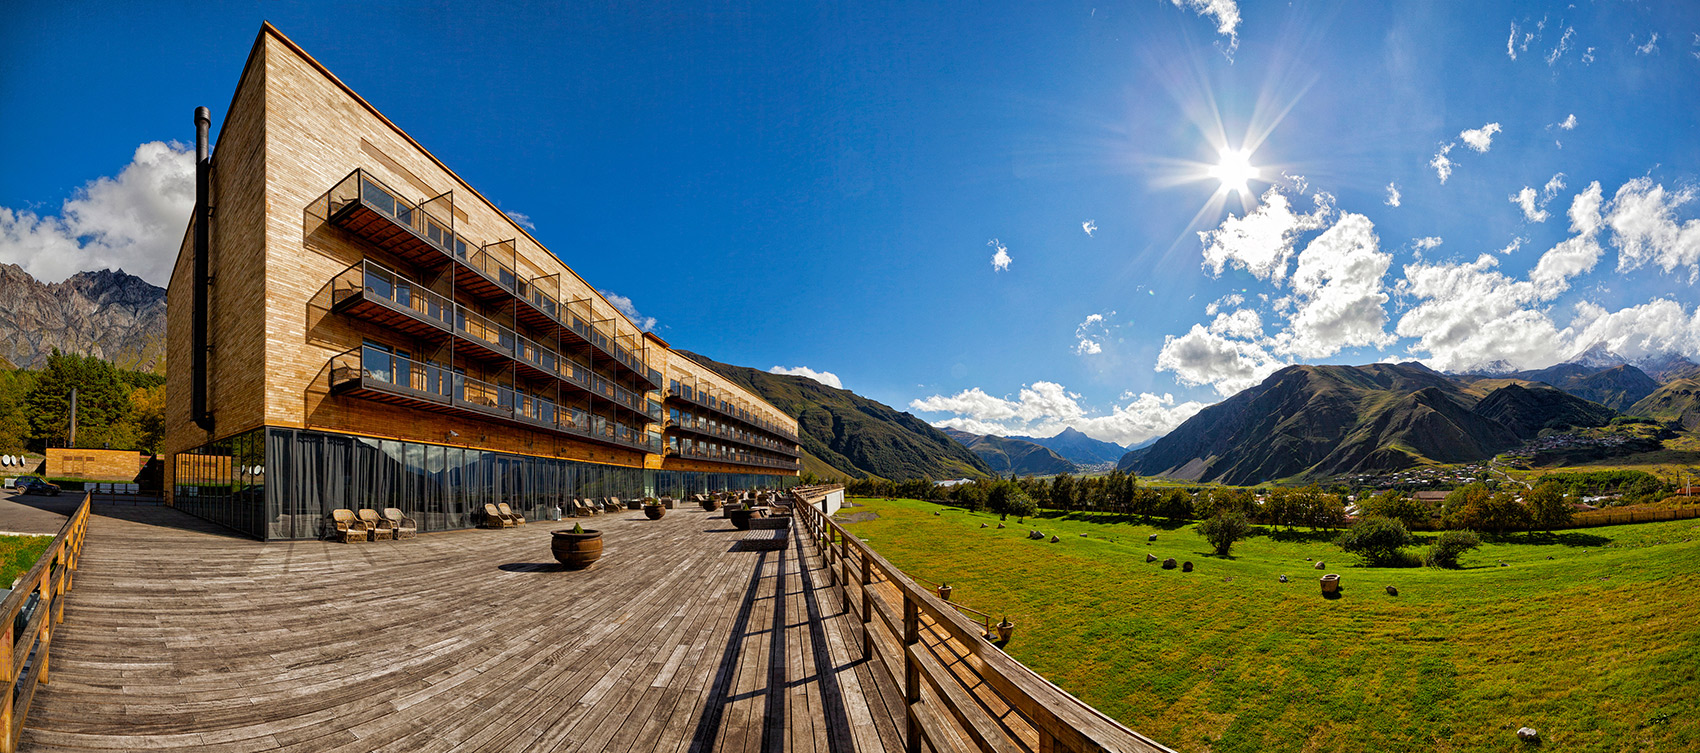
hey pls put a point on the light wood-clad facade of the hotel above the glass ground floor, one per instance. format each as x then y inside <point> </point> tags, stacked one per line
<point>292,139</point>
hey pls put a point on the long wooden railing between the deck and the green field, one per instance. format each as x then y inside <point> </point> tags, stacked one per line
<point>963,693</point>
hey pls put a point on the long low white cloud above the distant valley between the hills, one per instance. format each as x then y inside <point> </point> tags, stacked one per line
<point>1048,409</point>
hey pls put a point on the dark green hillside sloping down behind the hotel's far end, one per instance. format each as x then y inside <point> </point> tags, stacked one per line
<point>854,436</point>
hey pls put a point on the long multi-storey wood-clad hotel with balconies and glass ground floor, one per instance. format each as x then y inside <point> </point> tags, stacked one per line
<point>356,327</point>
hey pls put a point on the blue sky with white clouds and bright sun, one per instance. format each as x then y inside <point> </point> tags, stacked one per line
<point>827,186</point>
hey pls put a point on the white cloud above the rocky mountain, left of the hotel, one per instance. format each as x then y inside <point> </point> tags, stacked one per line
<point>133,222</point>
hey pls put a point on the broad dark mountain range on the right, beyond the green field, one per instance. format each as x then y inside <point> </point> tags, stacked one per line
<point>1325,421</point>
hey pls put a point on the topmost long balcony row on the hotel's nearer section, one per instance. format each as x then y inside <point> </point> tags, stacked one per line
<point>424,235</point>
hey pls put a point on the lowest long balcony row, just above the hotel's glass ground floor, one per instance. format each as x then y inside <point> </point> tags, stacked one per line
<point>375,375</point>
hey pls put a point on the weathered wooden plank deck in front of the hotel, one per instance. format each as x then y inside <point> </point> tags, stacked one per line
<point>183,638</point>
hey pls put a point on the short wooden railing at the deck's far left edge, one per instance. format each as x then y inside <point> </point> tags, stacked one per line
<point>25,657</point>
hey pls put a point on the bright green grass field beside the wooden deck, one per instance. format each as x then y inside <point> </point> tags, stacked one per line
<point>1599,648</point>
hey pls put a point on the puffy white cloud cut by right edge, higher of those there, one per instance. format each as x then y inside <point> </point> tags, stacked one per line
<point>1645,227</point>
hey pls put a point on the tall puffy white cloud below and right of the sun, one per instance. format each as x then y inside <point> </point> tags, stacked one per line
<point>1339,293</point>
